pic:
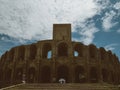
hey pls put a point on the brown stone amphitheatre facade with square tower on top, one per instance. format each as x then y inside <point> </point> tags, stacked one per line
<point>49,60</point>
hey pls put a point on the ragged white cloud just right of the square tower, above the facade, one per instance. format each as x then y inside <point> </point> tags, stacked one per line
<point>87,32</point>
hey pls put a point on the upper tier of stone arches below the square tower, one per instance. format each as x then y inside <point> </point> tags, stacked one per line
<point>50,49</point>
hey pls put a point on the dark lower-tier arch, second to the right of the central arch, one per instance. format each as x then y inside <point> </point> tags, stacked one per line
<point>93,75</point>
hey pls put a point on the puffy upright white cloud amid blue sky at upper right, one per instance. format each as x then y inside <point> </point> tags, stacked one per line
<point>107,21</point>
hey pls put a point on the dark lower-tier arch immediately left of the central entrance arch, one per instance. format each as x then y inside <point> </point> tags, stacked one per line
<point>46,74</point>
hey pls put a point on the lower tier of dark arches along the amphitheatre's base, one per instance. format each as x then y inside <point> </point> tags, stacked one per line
<point>78,74</point>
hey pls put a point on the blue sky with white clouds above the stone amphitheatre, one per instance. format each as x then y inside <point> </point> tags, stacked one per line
<point>28,21</point>
